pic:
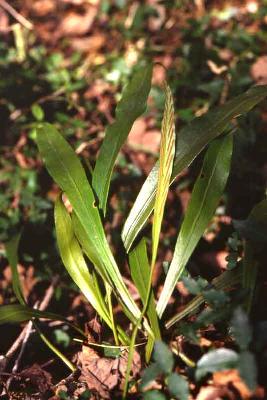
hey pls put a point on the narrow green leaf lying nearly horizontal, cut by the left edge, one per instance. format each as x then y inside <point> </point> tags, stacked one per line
<point>18,313</point>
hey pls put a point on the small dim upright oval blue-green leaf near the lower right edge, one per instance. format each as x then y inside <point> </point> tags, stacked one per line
<point>241,329</point>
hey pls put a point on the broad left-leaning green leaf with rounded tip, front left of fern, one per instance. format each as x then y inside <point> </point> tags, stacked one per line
<point>66,169</point>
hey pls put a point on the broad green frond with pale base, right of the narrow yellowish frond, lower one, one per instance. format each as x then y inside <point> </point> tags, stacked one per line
<point>205,197</point>
